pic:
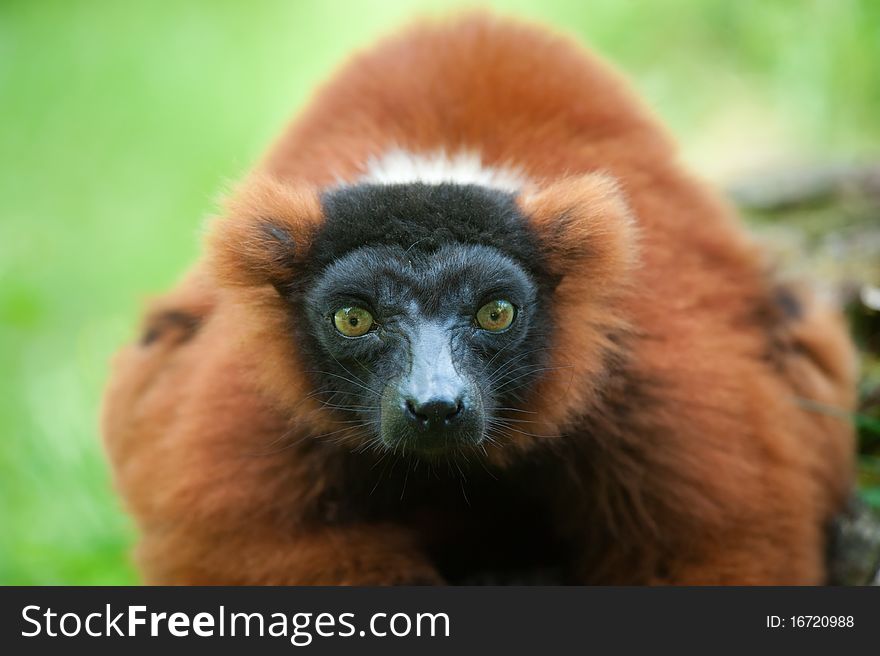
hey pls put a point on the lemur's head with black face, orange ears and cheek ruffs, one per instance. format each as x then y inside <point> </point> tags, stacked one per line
<point>427,319</point>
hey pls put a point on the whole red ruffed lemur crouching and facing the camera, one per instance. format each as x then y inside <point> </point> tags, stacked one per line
<point>470,321</point>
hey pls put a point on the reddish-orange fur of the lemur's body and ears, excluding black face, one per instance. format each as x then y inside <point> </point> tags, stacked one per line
<point>729,480</point>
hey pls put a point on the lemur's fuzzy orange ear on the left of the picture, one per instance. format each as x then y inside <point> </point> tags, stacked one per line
<point>265,235</point>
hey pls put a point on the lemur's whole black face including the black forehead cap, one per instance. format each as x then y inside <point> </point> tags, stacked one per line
<point>424,337</point>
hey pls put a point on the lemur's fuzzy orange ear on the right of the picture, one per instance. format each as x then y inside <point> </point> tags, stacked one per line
<point>586,228</point>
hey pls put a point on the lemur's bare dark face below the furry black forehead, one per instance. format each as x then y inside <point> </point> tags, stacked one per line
<point>425,347</point>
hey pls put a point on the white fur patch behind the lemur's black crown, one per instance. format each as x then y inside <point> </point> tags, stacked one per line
<point>464,167</point>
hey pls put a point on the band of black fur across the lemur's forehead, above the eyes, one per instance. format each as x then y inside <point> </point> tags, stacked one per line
<point>424,217</point>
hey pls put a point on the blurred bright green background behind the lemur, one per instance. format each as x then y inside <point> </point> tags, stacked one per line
<point>120,123</point>
